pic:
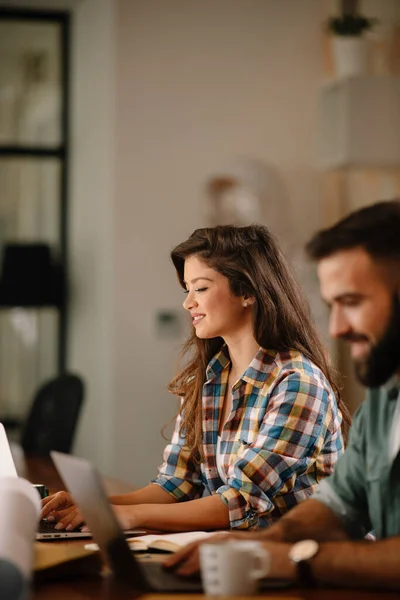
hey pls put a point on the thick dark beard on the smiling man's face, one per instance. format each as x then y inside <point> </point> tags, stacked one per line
<point>384,357</point>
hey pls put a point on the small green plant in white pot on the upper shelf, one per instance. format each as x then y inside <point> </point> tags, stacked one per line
<point>350,47</point>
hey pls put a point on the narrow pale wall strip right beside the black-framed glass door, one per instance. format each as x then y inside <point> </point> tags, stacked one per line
<point>91,202</point>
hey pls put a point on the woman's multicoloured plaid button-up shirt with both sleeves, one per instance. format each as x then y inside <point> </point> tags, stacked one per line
<point>282,436</point>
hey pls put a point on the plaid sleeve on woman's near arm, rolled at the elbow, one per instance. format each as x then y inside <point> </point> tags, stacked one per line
<point>291,436</point>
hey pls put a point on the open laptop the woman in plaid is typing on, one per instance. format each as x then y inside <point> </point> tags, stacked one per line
<point>46,530</point>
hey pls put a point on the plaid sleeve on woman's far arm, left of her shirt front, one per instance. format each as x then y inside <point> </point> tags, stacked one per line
<point>179,474</point>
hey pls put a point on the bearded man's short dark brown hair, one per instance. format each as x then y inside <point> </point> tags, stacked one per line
<point>376,228</point>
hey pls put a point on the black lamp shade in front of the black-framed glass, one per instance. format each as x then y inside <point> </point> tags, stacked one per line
<point>29,277</point>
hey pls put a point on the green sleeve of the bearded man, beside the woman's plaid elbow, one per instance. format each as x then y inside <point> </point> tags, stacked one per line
<point>344,492</point>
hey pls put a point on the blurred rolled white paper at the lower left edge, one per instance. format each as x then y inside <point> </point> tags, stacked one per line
<point>19,516</point>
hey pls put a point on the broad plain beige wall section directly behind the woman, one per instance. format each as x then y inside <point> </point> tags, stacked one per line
<point>198,83</point>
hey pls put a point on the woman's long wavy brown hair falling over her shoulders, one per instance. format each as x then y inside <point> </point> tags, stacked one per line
<point>255,266</point>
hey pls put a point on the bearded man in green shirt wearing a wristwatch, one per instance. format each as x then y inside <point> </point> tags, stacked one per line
<point>359,273</point>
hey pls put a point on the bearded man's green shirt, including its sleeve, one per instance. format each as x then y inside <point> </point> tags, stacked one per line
<point>364,490</point>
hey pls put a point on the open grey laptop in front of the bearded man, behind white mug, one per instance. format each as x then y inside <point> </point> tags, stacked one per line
<point>85,485</point>
